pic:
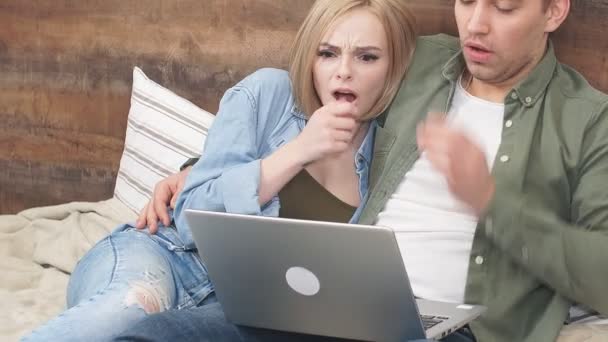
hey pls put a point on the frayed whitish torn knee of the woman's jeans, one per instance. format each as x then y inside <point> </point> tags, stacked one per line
<point>152,298</point>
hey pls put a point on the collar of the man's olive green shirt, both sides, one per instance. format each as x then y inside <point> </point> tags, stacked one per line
<point>528,91</point>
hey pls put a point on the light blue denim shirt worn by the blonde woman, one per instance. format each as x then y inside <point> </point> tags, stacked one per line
<point>255,118</point>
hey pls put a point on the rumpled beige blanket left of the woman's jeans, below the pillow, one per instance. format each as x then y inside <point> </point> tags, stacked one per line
<point>39,247</point>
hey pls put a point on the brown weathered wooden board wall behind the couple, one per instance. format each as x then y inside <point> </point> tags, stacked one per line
<point>65,74</point>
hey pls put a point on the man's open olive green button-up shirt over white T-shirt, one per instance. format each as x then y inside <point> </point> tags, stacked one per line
<point>543,243</point>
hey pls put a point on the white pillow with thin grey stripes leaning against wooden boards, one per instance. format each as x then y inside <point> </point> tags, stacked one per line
<point>163,131</point>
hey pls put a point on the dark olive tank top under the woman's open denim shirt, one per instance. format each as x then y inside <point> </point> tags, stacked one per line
<point>305,199</point>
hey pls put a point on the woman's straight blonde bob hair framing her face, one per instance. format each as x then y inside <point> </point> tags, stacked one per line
<point>398,23</point>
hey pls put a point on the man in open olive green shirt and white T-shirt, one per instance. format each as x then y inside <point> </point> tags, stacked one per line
<point>498,198</point>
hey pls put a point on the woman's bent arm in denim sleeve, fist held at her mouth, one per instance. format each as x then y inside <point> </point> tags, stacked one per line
<point>231,175</point>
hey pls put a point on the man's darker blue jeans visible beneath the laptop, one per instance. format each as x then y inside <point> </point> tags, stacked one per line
<point>208,323</point>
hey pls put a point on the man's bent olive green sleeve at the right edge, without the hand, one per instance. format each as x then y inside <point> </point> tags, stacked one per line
<point>570,255</point>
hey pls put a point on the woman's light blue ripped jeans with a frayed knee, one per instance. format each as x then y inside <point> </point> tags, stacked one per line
<point>122,279</point>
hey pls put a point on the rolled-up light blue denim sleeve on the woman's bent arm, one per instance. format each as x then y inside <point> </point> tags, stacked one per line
<point>227,176</point>
